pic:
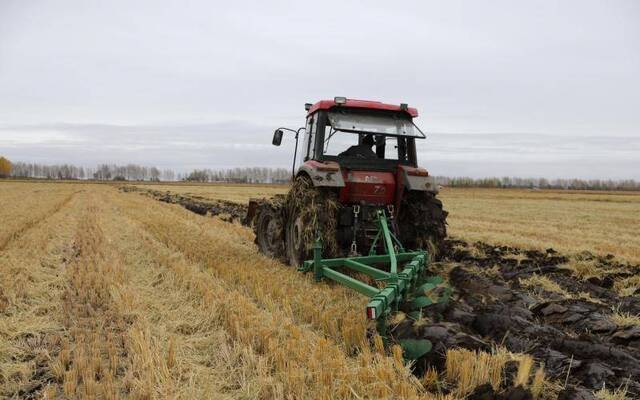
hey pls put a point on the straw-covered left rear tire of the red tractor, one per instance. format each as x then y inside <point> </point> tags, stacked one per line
<point>311,212</point>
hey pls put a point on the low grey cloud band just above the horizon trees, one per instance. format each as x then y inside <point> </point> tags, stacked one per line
<point>234,143</point>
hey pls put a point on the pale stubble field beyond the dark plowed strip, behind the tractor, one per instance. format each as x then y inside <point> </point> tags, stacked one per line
<point>600,222</point>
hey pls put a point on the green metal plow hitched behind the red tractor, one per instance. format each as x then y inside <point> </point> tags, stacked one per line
<point>410,288</point>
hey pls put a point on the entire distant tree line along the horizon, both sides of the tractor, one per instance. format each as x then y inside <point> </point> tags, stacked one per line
<point>134,172</point>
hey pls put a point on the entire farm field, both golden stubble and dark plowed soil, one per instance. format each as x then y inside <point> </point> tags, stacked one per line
<point>112,294</point>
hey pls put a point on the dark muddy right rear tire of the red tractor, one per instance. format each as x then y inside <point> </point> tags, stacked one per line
<point>423,222</point>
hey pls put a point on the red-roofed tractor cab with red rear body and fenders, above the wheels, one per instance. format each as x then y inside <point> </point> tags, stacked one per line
<point>365,149</point>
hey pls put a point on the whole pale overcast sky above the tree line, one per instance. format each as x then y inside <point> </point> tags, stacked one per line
<point>535,88</point>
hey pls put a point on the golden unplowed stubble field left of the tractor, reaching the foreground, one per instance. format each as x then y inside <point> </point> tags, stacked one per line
<point>111,295</point>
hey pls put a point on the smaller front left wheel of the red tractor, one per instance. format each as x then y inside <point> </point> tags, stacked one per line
<point>269,228</point>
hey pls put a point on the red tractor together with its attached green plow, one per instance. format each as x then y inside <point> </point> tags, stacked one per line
<point>358,202</point>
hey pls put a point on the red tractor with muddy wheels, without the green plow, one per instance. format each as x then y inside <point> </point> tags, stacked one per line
<point>357,157</point>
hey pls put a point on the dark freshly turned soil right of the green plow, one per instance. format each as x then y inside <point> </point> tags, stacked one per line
<point>571,332</point>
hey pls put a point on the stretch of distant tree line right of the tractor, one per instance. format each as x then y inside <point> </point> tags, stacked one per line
<point>541,183</point>
